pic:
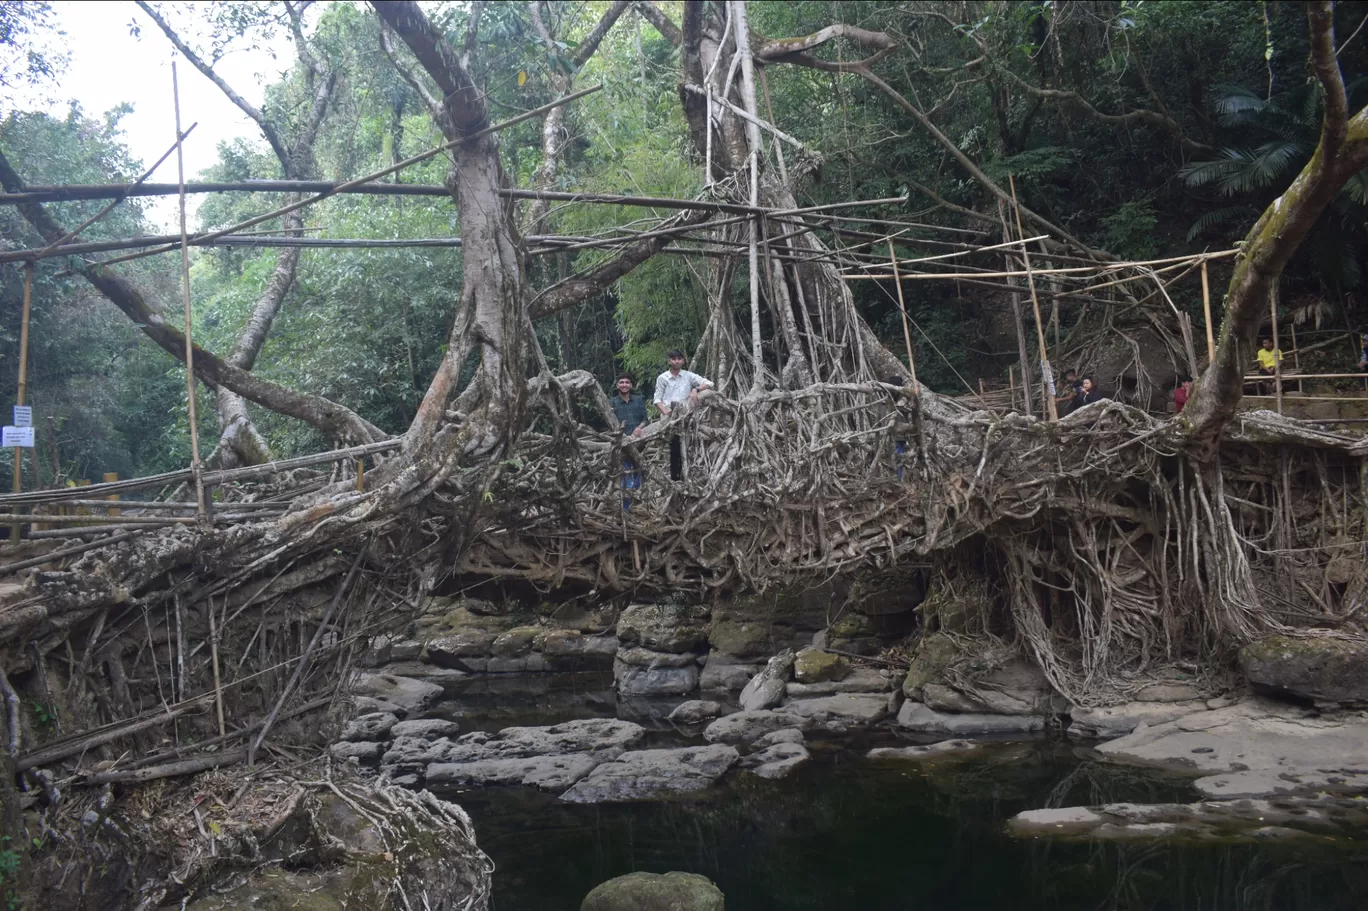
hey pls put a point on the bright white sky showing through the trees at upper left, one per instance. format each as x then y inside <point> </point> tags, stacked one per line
<point>110,66</point>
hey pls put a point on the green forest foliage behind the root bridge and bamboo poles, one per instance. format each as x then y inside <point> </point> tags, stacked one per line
<point>1139,129</point>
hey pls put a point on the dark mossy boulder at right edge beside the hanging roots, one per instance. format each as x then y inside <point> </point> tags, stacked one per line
<point>1318,668</point>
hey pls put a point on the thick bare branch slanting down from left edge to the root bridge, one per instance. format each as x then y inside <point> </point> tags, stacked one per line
<point>332,419</point>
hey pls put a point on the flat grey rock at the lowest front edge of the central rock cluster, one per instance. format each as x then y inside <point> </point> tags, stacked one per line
<point>653,774</point>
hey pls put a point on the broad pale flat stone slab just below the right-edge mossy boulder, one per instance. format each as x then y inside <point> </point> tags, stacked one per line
<point>1257,749</point>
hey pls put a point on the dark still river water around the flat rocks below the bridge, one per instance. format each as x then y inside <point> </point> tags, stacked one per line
<point>849,834</point>
